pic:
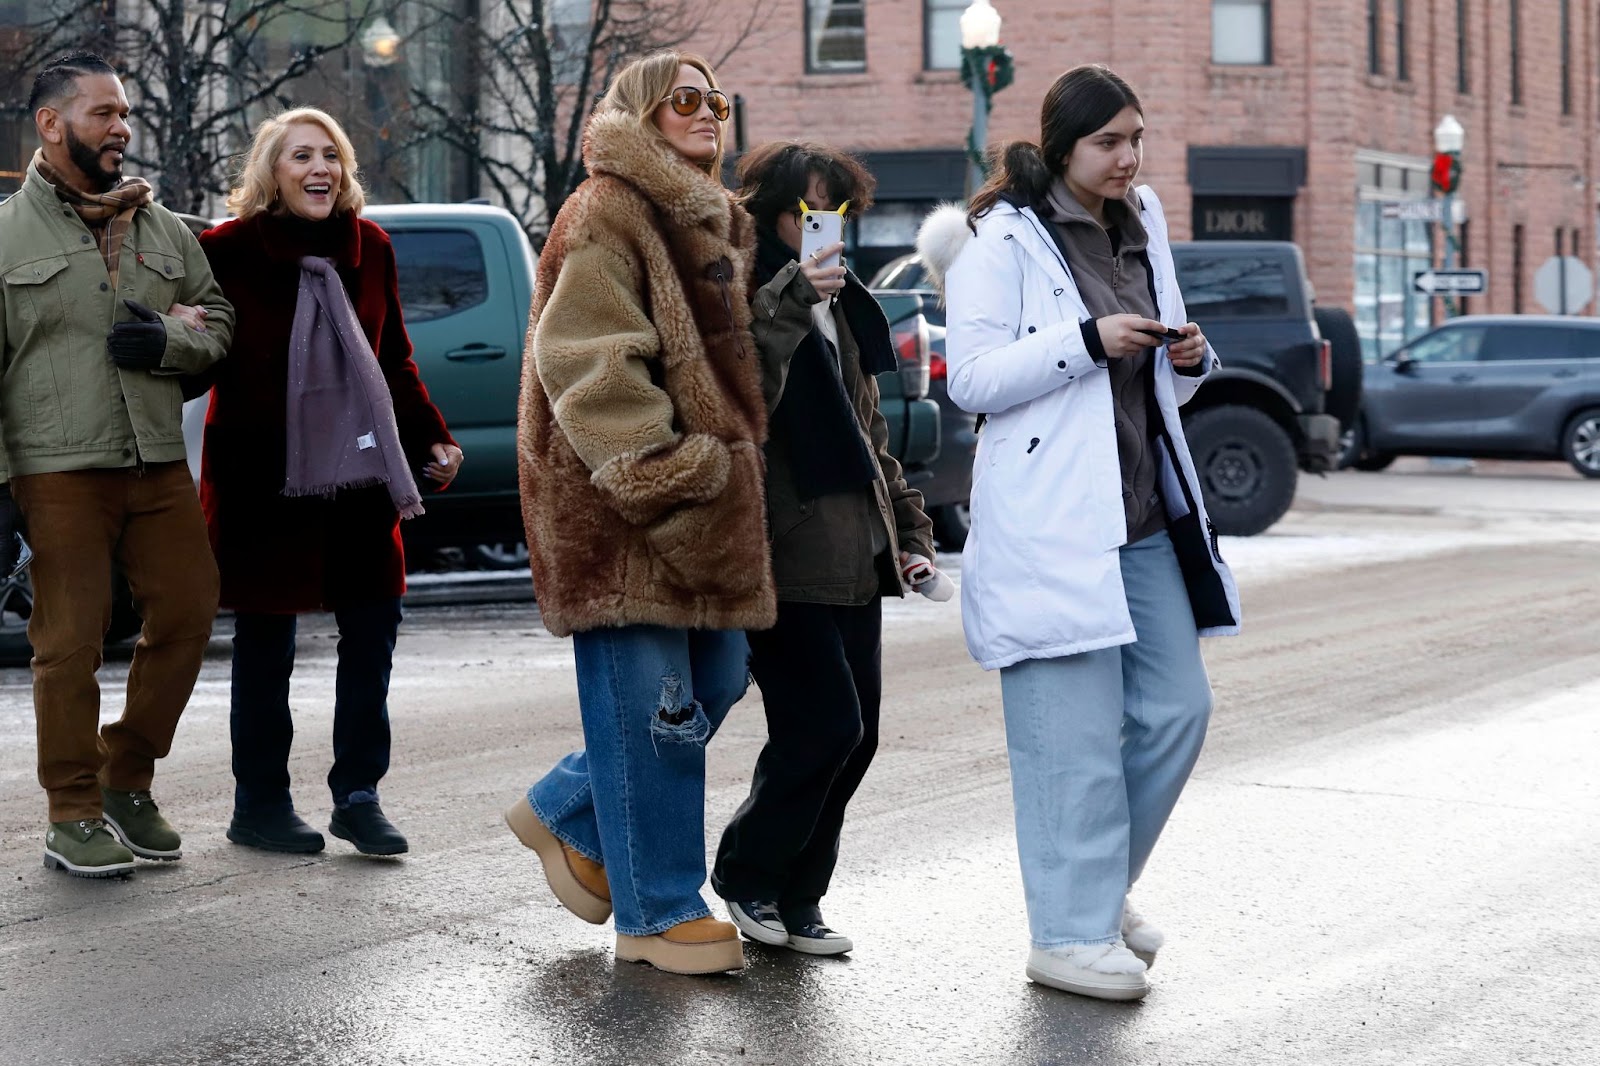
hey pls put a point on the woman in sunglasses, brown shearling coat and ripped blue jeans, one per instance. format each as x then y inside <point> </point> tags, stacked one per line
<point>641,433</point>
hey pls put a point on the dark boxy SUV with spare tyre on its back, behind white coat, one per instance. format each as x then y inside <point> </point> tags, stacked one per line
<point>1284,393</point>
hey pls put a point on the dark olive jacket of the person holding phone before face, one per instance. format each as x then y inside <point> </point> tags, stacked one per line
<point>823,547</point>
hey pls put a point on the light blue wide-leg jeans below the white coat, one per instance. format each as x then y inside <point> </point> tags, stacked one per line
<point>1102,745</point>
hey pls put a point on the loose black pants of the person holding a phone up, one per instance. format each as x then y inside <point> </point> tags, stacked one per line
<point>820,671</point>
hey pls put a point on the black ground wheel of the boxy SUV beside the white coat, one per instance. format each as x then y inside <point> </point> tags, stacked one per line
<point>1247,468</point>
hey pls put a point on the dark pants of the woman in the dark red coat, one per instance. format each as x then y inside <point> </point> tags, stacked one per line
<point>260,716</point>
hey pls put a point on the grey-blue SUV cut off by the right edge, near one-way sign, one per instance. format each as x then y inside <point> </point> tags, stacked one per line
<point>1487,387</point>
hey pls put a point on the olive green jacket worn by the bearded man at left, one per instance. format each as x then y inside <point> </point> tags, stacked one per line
<point>63,404</point>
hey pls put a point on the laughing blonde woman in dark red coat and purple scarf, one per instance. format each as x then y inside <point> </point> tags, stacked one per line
<point>310,457</point>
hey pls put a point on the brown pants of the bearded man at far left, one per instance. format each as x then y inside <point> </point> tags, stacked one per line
<point>150,524</point>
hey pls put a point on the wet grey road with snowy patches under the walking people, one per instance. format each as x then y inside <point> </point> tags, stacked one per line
<point>1388,854</point>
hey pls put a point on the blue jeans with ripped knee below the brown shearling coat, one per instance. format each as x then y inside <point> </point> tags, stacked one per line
<point>636,799</point>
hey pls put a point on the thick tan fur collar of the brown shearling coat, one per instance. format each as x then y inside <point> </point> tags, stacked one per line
<point>617,145</point>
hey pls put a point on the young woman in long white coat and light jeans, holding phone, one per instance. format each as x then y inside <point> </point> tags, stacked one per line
<point>1090,571</point>
